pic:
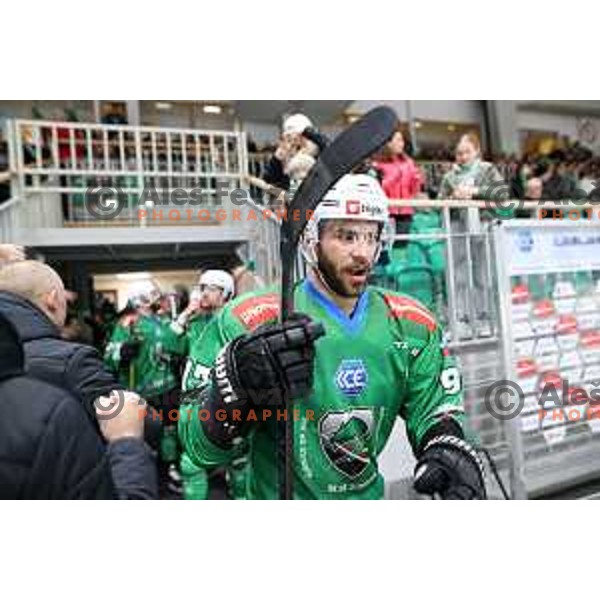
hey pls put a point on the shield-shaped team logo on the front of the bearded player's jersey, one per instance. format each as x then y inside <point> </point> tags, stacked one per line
<point>345,438</point>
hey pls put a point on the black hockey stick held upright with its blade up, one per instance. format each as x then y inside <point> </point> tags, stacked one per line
<point>348,150</point>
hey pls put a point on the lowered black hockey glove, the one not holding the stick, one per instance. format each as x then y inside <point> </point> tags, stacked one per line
<point>450,467</point>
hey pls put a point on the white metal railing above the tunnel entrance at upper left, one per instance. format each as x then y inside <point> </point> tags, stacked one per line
<point>142,165</point>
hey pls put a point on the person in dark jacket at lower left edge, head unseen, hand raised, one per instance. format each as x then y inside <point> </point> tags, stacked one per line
<point>49,449</point>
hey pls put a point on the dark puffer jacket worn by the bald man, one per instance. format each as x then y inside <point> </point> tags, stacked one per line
<point>74,367</point>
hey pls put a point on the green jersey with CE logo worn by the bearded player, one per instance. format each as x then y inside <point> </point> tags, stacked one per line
<point>386,360</point>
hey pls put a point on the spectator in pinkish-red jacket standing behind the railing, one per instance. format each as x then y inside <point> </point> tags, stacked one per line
<point>401,179</point>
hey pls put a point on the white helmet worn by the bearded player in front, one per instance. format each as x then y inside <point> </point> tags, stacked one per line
<point>355,197</point>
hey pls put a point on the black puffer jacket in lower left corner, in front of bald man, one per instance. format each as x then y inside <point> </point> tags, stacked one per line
<point>48,447</point>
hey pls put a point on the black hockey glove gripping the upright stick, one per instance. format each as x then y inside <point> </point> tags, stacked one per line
<point>260,370</point>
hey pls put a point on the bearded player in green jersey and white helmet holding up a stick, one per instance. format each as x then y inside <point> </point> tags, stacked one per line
<point>355,357</point>
